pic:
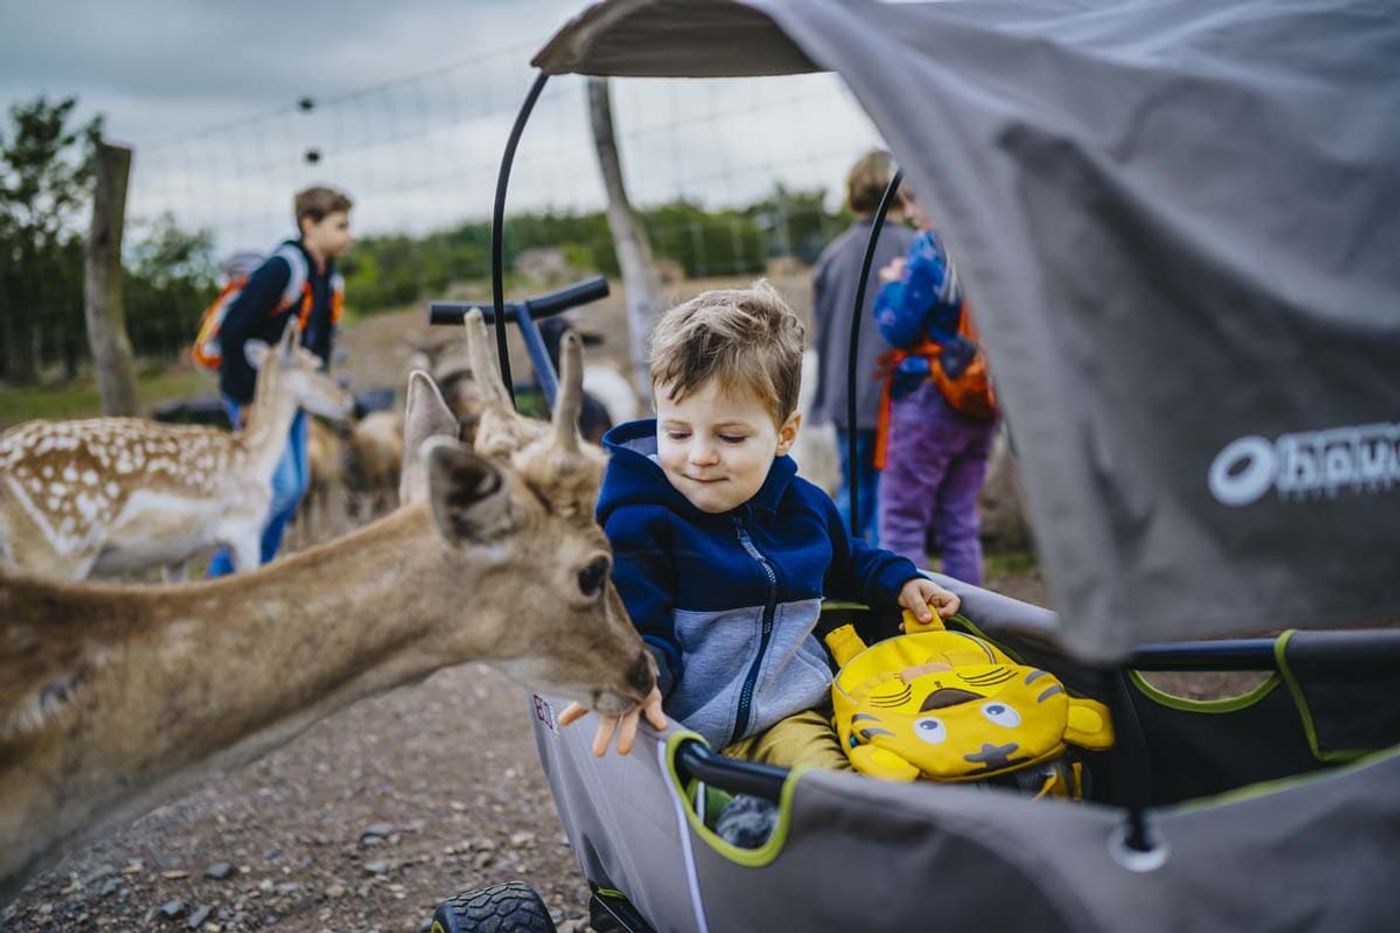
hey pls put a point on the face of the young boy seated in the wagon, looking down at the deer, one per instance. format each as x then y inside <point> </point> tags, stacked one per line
<point>717,448</point>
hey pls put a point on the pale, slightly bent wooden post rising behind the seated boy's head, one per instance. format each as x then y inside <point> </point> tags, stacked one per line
<point>639,277</point>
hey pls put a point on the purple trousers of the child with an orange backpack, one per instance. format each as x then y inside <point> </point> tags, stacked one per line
<point>934,469</point>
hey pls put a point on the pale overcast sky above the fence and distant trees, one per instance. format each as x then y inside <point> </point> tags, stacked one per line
<point>414,103</point>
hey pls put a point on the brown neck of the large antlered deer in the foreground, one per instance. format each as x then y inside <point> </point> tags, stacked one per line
<point>295,642</point>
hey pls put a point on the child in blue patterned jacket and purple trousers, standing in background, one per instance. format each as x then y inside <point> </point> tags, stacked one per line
<point>936,460</point>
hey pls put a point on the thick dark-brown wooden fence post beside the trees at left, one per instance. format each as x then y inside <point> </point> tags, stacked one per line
<point>103,284</point>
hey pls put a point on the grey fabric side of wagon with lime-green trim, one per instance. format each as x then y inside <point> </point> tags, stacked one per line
<point>1254,802</point>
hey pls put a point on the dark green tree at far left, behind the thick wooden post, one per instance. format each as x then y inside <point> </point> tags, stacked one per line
<point>45,179</point>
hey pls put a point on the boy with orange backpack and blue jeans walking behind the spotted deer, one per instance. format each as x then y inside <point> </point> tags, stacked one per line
<point>296,286</point>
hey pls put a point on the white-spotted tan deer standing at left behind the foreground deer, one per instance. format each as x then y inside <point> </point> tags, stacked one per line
<point>117,495</point>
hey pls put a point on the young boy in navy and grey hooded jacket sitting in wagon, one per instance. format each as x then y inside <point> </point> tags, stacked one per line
<point>722,553</point>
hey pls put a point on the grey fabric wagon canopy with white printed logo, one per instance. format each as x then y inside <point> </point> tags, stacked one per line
<point>1179,225</point>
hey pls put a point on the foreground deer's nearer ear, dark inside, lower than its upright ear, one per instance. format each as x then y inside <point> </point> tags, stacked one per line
<point>470,495</point>
